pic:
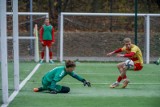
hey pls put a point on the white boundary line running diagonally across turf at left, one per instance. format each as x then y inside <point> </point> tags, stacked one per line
<point>14,94</point>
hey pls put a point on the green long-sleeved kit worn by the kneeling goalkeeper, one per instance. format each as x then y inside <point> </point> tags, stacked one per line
<point>55,75</point>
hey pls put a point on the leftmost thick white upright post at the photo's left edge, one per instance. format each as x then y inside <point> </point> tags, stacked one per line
<point>4,64</point>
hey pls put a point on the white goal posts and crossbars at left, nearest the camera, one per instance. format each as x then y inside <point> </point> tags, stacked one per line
<point>4,64</point>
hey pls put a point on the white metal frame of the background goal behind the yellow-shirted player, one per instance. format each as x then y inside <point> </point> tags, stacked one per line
<point>147,27</point>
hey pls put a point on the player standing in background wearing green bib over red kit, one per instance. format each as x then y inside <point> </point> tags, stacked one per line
<point>47,39</point>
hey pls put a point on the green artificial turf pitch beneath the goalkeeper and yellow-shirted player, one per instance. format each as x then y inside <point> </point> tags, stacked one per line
<point>143,90</point>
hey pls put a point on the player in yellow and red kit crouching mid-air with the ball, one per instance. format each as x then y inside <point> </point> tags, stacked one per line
<point>133,53</point>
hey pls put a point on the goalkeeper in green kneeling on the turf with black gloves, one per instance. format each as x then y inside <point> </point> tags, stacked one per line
<point>49,80</point>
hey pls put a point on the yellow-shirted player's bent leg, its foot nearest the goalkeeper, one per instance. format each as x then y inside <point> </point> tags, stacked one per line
<point>122,69</point>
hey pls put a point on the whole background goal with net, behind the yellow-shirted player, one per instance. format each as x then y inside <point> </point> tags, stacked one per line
<point>89,36</point>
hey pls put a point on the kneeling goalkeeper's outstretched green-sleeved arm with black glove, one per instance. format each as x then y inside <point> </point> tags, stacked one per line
<point>74,75</point>
